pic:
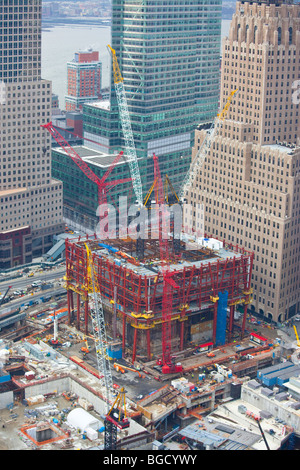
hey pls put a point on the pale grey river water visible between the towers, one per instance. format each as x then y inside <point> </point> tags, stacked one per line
<point>60,42</point>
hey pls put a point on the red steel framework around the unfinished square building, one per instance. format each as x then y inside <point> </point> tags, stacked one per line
<point>200,274</point>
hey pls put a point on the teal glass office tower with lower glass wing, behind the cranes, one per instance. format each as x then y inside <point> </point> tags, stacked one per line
<point>169,56</point>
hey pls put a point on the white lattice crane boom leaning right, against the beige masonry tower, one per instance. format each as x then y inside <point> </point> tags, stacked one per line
<point>204,149</point>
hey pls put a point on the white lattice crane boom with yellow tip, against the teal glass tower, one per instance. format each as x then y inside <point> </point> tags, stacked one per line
<point>131,156</point>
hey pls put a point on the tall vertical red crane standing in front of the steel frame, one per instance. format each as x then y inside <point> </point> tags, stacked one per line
<point>168,365</point>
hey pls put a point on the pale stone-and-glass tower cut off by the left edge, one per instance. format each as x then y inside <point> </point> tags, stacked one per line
<point>31,200</point>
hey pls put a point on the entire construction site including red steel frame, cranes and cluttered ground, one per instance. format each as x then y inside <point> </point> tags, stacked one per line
<point>153,344</point>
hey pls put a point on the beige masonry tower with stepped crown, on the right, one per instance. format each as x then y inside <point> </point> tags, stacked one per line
<point>249,183</point>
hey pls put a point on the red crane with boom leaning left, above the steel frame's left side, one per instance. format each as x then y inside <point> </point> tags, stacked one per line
<point>103,185</point>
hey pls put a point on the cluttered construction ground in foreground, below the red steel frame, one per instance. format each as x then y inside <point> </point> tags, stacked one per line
<point>53,395</point>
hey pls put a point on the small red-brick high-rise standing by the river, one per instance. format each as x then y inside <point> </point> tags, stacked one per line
<point>84,79</point>
